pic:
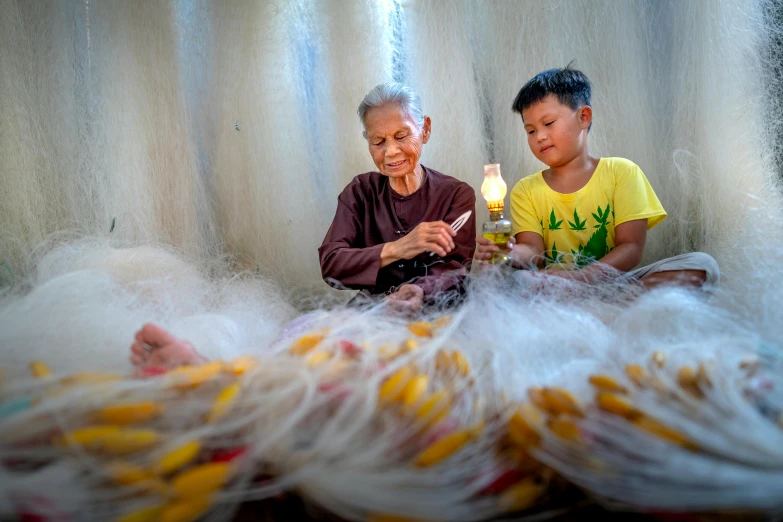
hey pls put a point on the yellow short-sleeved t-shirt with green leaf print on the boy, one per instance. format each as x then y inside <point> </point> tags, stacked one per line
<point>578,228</point>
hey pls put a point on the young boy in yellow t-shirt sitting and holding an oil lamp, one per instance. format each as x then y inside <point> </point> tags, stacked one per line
<point>584,217</point>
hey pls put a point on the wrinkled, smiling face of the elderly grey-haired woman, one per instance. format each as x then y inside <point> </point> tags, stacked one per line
<point>395,140</point>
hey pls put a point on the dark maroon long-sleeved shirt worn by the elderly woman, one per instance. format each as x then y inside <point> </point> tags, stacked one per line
<point>369,214</point>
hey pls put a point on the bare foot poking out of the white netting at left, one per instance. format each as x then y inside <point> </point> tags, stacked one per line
<point>155,347</point>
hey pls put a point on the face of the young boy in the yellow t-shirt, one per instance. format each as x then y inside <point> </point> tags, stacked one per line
<point>556,133</point>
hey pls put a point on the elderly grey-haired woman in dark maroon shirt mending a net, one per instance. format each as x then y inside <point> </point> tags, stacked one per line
<point>389,222</point>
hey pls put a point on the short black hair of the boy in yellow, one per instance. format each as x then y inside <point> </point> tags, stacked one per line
<point>571,87</point>
